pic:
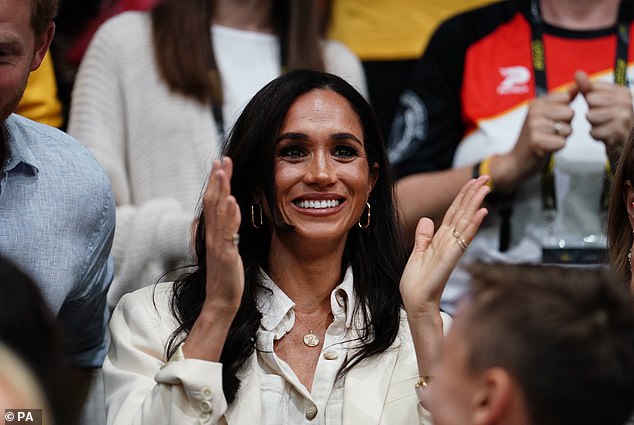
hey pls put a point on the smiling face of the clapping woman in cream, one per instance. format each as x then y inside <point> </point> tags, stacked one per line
<point>322,176</point>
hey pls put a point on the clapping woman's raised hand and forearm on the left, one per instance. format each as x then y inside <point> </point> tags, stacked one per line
<point>224,282</point>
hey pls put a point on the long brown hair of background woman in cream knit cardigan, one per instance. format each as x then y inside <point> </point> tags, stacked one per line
<point>185,55</point>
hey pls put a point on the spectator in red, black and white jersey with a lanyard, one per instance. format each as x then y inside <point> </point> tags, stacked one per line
<point>547,123</point>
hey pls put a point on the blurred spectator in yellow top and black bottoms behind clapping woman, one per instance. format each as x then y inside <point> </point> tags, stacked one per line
<point>389,36</point>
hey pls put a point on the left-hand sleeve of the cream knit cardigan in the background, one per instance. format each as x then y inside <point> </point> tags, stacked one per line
<point>151,236</point>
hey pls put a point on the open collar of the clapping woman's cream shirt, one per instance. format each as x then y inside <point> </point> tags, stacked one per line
<point>276,306</point>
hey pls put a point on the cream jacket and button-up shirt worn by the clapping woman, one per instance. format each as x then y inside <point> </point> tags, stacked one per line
<point>143,387</point>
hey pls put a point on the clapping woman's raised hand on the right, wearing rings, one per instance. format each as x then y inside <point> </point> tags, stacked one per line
<point>435,255</point>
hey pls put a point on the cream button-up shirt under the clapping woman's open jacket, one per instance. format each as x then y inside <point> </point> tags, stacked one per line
<point>285,400</point>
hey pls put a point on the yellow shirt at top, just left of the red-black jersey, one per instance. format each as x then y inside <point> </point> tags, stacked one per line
<point>391,29</point>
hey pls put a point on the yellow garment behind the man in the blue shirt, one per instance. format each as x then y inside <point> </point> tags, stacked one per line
<point>39,102</point>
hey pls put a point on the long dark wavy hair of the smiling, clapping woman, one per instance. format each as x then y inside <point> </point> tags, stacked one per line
<point>375,254</point>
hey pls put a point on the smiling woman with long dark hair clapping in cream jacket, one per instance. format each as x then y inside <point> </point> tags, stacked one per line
<point>293,312</point>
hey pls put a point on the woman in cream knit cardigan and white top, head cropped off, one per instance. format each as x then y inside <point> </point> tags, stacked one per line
<point>155,95</point>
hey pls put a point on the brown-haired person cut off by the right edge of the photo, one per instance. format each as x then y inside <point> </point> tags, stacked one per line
<point>621,215</point>
